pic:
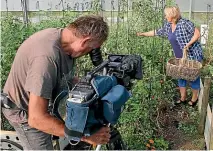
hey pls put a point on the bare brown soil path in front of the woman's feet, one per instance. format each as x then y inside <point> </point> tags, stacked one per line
<point>169,118</point>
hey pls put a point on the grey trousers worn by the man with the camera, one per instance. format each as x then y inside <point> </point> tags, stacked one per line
<point>31,138</point>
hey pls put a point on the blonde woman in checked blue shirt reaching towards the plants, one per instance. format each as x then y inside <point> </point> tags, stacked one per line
<point>181,33</point>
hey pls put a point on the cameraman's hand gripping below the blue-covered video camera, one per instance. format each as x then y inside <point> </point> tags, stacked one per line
<point>100,137</point>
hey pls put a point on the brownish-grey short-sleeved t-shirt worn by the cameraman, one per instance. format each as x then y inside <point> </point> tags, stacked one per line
<point>40,67</point>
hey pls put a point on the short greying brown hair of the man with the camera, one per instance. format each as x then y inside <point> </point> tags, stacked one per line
<point>90,25</point>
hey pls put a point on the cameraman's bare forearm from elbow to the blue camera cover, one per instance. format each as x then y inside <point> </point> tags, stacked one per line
<point>48,124</point>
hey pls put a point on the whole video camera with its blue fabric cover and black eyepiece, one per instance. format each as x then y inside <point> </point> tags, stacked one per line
<point>97,99</point>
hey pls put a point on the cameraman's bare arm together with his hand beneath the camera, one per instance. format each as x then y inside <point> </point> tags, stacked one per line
<point>40,119</point>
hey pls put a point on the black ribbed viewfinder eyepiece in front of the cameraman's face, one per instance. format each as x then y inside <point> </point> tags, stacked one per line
<point>96,56</point>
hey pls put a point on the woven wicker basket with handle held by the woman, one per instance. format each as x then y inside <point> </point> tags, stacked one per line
<point>183,68</point>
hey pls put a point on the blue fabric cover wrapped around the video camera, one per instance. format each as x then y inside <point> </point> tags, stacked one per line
<point>80,116</point>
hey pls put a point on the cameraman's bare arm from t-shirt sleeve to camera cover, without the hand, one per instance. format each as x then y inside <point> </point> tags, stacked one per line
<point>40,119</point>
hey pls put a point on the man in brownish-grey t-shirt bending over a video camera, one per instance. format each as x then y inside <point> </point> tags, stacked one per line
<point>39,72</point>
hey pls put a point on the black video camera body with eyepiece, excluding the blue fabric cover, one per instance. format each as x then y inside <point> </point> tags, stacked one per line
<point>124,67</point>
